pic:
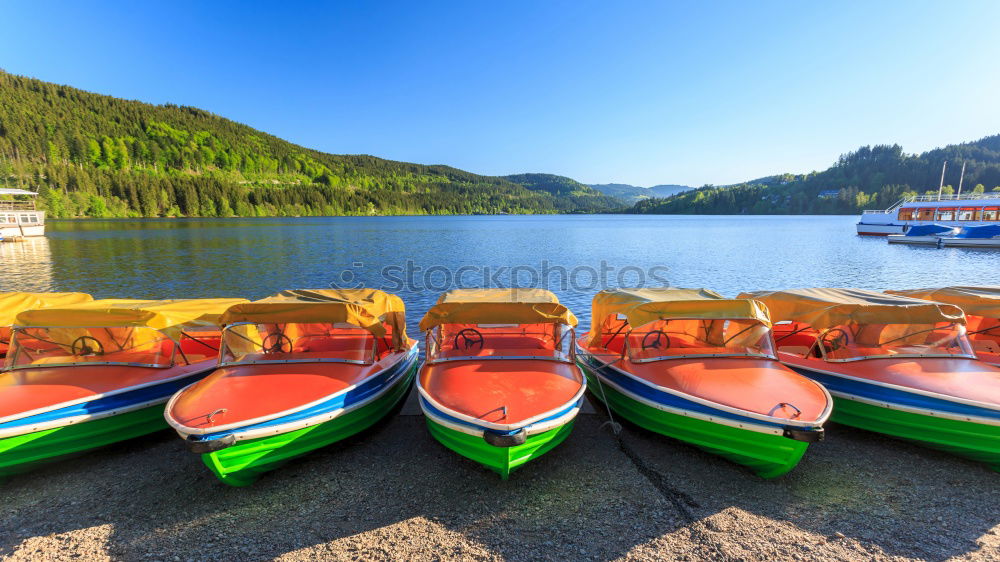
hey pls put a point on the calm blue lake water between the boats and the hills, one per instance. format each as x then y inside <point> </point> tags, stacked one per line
<point>256,257</point>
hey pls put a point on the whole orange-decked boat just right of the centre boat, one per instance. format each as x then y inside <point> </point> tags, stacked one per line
<point>694,366</point>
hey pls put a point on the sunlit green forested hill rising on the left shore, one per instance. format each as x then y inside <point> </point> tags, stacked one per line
<point>100,156</point>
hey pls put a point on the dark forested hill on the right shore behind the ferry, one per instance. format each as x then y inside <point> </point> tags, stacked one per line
<point>872,177</point>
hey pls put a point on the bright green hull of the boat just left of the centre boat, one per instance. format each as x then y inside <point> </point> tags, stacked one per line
<point>243,463</point>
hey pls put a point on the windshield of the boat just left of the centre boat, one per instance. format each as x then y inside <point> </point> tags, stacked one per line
<point>249,343</point>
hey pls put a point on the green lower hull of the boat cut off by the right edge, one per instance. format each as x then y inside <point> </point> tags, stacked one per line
<point>976,441</point>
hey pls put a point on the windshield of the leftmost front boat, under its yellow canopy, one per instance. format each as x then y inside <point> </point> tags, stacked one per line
<point>64,347</point>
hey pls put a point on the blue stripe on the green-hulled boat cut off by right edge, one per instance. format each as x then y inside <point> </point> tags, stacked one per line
<point>878,393</point>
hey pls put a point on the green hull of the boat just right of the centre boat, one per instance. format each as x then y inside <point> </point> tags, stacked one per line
<point>767,455</point>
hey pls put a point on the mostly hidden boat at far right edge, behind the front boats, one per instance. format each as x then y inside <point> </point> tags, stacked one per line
<point>982,315</point>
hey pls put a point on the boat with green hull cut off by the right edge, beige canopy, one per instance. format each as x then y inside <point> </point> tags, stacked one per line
<point>894,365</point>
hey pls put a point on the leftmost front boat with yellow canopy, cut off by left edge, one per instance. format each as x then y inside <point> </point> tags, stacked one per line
<point>87,375</point>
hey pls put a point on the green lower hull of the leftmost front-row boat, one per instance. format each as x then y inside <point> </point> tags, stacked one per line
<point>23,453</point>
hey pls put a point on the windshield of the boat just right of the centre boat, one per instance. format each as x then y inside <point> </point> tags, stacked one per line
<point>695,337</point>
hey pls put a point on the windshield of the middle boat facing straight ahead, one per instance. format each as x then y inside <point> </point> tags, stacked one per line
<point>452,342</point>
